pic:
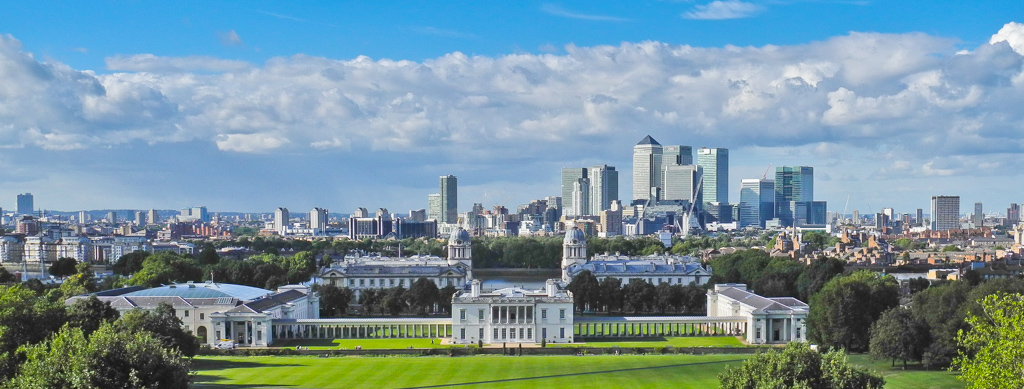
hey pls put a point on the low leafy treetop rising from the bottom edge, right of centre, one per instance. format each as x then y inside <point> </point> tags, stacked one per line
<point>798,367</point>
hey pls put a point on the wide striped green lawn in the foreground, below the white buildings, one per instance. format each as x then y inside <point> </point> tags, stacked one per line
<point>676,371</point>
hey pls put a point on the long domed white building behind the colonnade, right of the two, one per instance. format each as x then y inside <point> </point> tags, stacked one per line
<point>656,270</point>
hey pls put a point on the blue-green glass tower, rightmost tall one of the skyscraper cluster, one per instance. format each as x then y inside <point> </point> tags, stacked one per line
<point>793,185</point>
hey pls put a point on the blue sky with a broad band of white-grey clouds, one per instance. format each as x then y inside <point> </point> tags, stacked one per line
<point>249,106</point>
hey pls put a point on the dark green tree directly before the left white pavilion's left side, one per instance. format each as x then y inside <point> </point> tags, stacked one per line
<point>165,327</point>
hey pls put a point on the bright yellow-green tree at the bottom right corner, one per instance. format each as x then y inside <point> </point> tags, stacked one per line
<point>994,355</point>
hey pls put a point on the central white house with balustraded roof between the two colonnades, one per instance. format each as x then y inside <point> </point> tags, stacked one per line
<point>513,316</point>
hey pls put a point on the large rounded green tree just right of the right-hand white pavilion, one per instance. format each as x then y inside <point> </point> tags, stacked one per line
<point>842,314</point>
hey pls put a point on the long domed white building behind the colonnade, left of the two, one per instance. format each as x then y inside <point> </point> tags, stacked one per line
<point>359,274</point>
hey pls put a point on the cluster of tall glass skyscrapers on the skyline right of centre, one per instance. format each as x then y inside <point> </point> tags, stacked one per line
<point>676,194</point>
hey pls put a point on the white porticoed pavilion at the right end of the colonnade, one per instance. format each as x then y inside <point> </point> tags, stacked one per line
<point>770,320</point>
